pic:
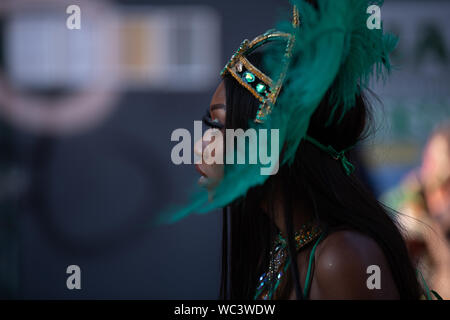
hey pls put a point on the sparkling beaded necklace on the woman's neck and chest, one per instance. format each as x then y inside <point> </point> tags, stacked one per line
<point>279,260</point>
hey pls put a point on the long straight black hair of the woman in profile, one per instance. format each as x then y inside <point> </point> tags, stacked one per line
<point>316,181</point>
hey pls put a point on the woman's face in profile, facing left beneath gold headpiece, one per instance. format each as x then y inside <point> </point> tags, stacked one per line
<point>210,147</point>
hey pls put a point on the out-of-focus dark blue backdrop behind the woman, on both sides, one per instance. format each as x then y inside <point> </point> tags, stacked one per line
<point>85,122</point>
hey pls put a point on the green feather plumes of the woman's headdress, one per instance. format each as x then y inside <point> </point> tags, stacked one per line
<point>333,48</point>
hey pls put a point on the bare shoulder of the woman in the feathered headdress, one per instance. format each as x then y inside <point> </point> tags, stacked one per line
<point>350,265</point>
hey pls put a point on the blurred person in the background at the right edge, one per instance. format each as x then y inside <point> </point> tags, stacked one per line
<point>423,199</point>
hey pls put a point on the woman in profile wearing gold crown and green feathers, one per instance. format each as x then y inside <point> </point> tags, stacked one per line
<point>311,230</point>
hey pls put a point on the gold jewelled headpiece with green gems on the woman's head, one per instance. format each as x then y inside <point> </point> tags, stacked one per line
<point>259,84</point>
